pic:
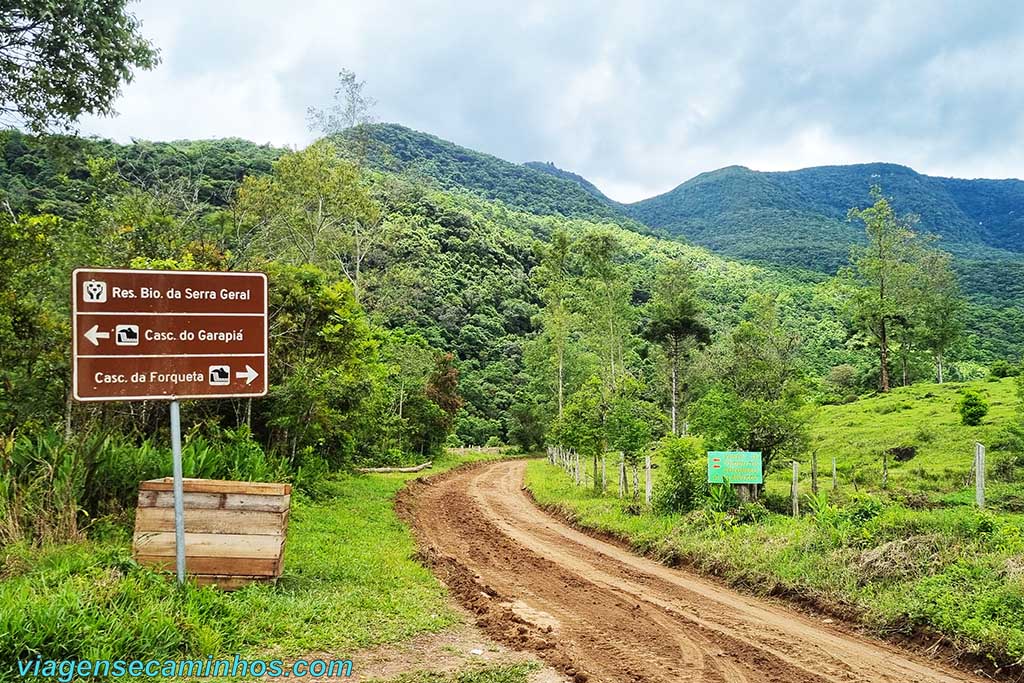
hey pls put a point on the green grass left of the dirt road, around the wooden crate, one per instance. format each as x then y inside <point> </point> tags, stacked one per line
<point>351,582</point>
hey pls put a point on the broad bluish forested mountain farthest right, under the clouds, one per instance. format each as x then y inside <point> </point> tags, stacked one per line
<point>799,218</point>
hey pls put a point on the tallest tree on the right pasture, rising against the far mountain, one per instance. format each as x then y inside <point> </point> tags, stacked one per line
<point>884,272</point>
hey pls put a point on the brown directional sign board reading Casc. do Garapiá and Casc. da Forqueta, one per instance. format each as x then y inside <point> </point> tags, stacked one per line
<point>168,334</point>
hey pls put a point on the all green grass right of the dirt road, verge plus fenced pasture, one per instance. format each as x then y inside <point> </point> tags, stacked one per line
<point>917,558</point>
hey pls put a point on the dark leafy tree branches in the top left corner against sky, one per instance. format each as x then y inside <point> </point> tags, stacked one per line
<point>62,60</point>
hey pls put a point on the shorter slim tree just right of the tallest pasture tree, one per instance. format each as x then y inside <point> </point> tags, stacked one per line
<point>942,307</point>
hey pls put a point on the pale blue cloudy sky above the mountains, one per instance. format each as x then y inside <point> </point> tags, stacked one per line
<point>636,97</point>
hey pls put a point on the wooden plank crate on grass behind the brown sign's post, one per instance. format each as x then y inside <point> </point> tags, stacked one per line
<point>235,531</point>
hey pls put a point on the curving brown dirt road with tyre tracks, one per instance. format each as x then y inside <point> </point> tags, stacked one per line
<point>599,613</point>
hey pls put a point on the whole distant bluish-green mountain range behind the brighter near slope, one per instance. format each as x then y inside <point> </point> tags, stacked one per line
<point>793,219</point>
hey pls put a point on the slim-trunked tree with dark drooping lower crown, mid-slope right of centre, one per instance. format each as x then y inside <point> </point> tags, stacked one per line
<point>675,321</point>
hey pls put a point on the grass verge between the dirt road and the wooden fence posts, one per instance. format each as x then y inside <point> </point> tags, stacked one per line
<point>957,572</point>
